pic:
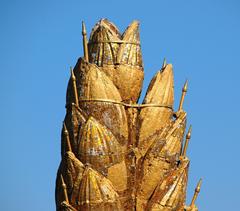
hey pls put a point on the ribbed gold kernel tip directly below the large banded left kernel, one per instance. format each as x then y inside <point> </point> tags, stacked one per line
<point>98,146</point>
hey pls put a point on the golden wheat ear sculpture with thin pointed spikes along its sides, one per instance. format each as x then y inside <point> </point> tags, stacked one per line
<point>117,154</point>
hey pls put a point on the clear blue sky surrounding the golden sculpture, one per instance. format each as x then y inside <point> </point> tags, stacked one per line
<point>39,40</point>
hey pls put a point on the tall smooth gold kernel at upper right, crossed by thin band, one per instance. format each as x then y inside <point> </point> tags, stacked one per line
<point>152,120</point>
